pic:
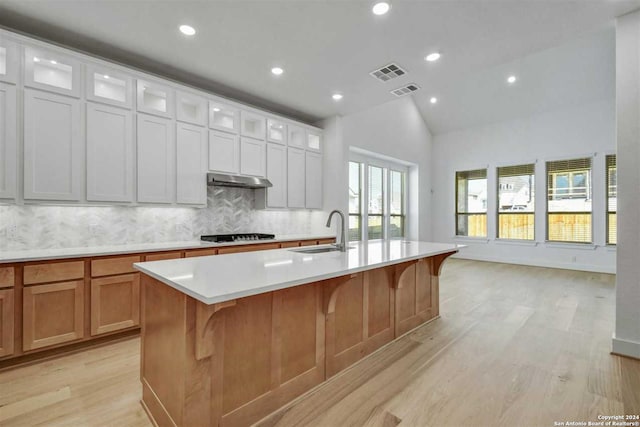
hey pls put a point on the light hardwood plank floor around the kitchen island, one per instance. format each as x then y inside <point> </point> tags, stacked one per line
<point>515,345</point>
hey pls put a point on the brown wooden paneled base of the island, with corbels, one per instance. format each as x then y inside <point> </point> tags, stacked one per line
<point>234,362</point>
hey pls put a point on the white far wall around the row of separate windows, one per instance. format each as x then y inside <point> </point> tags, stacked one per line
<point>565,134</point>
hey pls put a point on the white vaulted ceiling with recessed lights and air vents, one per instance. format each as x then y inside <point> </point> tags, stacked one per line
<point>562,52</point>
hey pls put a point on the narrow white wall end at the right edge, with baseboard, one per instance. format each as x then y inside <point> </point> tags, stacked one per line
<point>626,339</point>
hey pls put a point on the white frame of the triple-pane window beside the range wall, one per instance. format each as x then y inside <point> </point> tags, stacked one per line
<point>387,165</point>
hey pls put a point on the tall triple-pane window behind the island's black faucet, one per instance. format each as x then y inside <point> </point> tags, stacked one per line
<point>377,198</point>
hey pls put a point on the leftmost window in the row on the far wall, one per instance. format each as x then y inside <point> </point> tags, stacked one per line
<point>471,203</point>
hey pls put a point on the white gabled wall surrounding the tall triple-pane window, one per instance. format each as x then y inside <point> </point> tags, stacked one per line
<point>397,130</point>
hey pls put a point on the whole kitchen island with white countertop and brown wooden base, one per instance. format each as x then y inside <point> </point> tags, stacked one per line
<point>228,339</point>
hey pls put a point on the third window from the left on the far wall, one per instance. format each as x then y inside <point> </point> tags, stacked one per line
<point>569,201</point>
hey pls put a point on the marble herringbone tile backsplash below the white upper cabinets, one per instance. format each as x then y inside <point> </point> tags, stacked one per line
<point>229,210</point>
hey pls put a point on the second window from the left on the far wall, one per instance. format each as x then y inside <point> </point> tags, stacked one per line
<point>516,202</point>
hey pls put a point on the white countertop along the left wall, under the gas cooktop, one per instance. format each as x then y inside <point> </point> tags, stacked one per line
<point>60,253</point>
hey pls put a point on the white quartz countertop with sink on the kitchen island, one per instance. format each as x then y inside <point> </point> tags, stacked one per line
<point>219,278</point>
